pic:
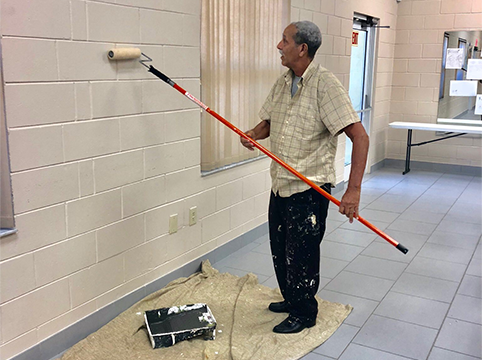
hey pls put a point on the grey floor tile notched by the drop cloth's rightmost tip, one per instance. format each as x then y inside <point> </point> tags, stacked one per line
<point>362,308</point>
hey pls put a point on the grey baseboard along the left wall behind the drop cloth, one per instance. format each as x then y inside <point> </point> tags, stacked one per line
<point>56,345</point>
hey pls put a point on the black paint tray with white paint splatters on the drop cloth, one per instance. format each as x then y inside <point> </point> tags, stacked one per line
<point>167,326</point>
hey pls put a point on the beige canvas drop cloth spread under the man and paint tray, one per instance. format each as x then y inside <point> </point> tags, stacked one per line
<point>244,324</point>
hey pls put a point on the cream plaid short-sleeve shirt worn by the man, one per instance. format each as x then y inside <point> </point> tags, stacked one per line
<point>304,128</point>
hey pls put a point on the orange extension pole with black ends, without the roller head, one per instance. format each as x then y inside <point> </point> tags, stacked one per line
<point>380,233</point>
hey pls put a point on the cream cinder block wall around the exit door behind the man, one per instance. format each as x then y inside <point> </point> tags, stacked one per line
<point>335,19</point>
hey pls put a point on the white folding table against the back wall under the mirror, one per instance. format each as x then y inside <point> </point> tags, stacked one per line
<point>451,131</point>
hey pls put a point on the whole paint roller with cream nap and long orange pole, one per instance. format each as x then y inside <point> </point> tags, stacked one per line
<point>135,53</point>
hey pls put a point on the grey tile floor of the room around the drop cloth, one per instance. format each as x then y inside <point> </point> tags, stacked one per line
<point>423,305</point>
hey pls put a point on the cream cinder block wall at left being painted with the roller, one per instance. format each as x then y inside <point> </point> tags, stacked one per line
<point>102,153</point>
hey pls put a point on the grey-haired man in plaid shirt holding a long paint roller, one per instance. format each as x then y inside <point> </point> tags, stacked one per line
<point>304,113</point>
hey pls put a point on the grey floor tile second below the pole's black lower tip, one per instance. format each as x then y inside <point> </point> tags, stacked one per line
<point>425,287</point>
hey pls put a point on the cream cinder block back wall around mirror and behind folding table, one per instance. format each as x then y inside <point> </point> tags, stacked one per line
<point>416,80</point>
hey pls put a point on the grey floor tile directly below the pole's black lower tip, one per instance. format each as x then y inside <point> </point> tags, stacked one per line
<point>438,269</point>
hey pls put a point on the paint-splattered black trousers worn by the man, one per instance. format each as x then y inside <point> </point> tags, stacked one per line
<point>296,227</point>
